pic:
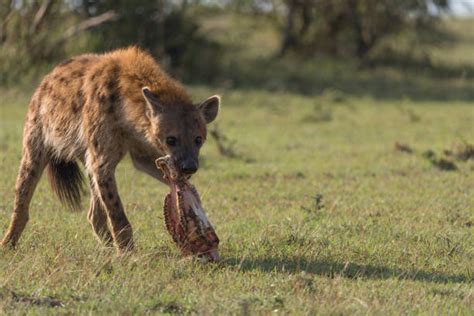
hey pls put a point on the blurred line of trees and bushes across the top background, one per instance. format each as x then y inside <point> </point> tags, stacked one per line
<point>37,33</point>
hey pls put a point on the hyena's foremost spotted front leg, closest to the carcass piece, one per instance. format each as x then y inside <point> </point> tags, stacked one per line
<point>104,185</point>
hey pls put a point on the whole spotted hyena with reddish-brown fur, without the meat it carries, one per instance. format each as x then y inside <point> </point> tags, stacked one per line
<point>95,109</point>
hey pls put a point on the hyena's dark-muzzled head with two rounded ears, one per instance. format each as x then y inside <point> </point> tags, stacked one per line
<point>180,129</point>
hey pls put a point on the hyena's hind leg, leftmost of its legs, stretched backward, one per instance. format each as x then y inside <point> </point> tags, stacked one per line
<point>32,165</point>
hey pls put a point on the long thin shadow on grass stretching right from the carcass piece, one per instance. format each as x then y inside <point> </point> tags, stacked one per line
<point>346,270</point>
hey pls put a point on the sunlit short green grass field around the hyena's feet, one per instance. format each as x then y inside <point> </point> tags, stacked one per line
<point>318,210</point>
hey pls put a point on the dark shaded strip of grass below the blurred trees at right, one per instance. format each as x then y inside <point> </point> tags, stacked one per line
<point>418,80</point>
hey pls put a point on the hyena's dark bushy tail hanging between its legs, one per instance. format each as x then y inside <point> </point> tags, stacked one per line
<point>67,182</point>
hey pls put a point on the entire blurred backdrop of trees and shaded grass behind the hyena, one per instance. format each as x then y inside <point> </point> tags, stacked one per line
<point>381,48</point>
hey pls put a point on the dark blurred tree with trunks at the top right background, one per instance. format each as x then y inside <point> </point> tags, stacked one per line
<point>353,27</point>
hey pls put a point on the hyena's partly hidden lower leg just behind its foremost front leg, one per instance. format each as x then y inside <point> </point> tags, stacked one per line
<point>98,218</point>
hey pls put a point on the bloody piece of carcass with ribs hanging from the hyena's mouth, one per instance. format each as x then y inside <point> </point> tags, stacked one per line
<point>184,216</point>
